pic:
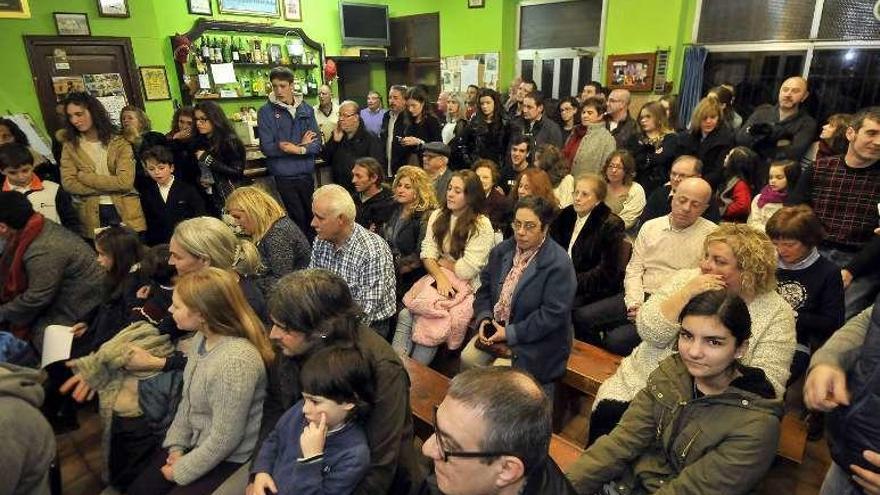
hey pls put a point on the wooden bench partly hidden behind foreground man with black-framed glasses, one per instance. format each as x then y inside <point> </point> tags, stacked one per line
<point>428,388</point>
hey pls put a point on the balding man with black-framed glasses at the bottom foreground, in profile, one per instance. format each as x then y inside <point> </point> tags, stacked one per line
<point>492,436</point>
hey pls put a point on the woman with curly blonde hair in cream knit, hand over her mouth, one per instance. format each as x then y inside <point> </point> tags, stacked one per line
<point>738,259</point>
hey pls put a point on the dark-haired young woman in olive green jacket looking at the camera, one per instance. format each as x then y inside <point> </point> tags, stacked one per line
<point>703,424</point>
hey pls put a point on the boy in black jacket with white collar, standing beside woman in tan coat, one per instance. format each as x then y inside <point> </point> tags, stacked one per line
<point>166,201</point>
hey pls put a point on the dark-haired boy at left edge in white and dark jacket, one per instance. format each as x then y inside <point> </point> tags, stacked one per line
<point>47,197</point>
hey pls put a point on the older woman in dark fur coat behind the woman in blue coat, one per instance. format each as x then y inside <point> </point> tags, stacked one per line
<point>596,251</point>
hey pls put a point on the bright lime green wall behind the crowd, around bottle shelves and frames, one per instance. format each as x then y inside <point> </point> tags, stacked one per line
<point>632,26</point>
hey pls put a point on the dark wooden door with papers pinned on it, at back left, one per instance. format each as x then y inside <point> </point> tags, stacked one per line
<point>72,57</point>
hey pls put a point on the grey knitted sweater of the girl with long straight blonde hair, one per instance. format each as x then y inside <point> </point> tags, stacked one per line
<point>218,418</point>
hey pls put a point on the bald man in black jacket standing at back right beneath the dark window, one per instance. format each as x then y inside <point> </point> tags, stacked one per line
<point>780,132</point>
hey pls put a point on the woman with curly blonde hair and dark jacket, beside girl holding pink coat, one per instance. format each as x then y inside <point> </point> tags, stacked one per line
<point>405,230</point>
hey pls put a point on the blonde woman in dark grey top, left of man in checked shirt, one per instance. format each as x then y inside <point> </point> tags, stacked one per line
<point>282,245</point>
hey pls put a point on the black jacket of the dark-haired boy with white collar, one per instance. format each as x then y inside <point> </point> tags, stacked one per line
<point>183,202</point>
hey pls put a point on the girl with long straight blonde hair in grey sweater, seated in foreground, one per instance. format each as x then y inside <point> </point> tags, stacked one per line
<point>217,423</point>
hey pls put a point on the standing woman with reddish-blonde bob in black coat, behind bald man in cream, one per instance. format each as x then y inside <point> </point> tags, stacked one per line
<point>709,139</point>
